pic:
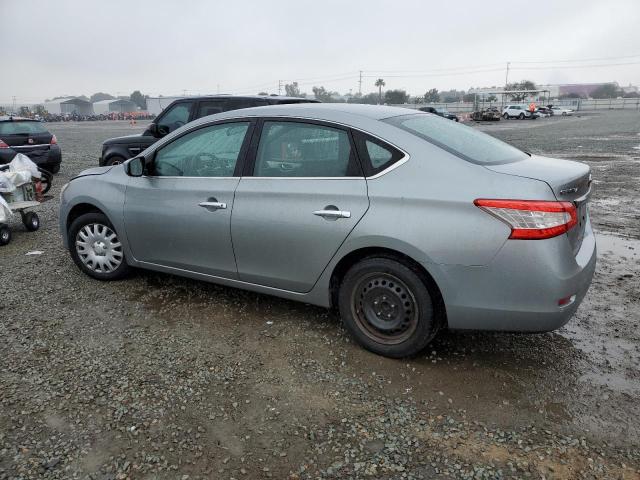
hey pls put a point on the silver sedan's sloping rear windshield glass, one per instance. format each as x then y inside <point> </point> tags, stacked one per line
<point>465,142</point>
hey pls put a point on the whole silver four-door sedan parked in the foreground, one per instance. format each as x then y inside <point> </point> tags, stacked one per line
<point>403,221</point>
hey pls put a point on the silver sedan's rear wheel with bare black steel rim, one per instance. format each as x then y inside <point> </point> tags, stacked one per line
<point>407,320</point>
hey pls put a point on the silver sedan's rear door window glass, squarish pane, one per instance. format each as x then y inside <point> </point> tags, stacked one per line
<point>296,149</point>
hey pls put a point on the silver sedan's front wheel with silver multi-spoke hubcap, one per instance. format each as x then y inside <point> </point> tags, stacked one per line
<point>95,247</point>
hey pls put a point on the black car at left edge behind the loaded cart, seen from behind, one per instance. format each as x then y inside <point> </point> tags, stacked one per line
<point>23,135</point>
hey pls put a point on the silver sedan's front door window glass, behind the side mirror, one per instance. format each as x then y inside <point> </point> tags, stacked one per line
<point>207,152</point>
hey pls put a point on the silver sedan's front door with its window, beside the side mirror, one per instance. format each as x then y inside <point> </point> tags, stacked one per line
<point>178,214</point>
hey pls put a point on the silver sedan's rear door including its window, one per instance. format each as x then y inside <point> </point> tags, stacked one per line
<point>303,194</point>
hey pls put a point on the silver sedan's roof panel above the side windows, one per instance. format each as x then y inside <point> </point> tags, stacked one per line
<point>320,111</point>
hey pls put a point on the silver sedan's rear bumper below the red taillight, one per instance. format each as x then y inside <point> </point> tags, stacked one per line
<point>519,290</point>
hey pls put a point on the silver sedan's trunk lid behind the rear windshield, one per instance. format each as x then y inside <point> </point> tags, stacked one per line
<point>569,180</point>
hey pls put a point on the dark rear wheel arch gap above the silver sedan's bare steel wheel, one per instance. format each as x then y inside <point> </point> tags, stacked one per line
<point>353,257</point>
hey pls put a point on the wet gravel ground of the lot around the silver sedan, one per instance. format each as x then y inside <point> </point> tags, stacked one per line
<point>162,377</point>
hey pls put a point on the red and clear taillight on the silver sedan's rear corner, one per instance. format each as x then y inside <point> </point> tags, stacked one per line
<point>532,219</point>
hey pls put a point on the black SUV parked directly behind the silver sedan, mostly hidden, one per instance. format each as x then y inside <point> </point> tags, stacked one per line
<point>178,113</point>
